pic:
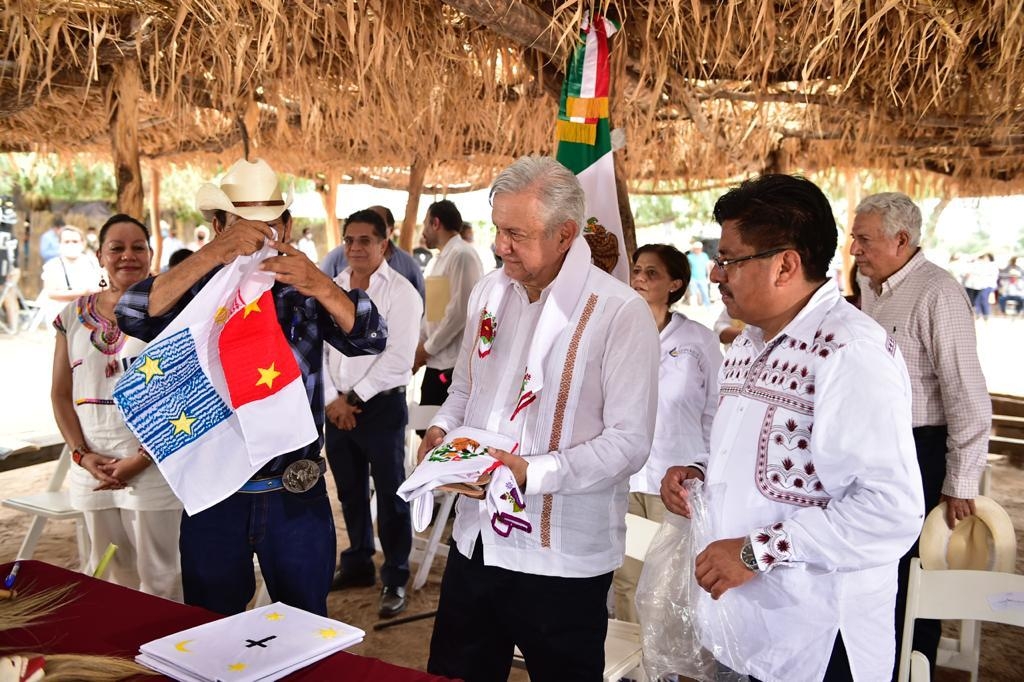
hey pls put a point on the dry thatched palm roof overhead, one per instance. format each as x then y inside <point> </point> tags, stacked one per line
<point>705,90</point>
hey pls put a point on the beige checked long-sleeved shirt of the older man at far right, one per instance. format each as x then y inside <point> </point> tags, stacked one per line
<point>928,313</point>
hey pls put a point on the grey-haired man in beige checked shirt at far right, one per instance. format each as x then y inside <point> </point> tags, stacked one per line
<point>927,312</point>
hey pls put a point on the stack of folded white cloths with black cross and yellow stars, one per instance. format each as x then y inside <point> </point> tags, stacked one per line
<point>266,644</point>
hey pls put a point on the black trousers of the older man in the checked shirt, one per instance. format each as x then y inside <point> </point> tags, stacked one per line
<point>931,445</point>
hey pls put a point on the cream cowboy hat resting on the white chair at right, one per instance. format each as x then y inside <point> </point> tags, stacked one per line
<point>983,542</point>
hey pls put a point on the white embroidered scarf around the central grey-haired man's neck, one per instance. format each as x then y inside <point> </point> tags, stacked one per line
<point>562,302</point>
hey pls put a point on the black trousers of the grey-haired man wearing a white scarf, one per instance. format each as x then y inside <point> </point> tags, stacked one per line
<point>560,624</point>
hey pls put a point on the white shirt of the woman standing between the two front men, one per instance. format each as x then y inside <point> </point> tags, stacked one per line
<point>688,399</point>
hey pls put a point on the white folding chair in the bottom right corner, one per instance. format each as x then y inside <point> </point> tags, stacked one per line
<point>972,595</point>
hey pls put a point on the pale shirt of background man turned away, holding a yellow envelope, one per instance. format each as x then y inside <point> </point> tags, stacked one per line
<point>457,262</point>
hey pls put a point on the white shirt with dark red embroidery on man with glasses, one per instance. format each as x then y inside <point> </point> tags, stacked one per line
<point>813,457</point>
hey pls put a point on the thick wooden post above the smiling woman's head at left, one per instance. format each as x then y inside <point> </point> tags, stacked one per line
<point>126,89</point>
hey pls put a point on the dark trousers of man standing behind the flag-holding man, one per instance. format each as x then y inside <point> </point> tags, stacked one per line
<point>376,447</point>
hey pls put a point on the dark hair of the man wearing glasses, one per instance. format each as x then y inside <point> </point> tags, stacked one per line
<point>775,211</point>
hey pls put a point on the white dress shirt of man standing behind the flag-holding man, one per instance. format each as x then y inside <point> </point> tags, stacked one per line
<point>400,305</point>
